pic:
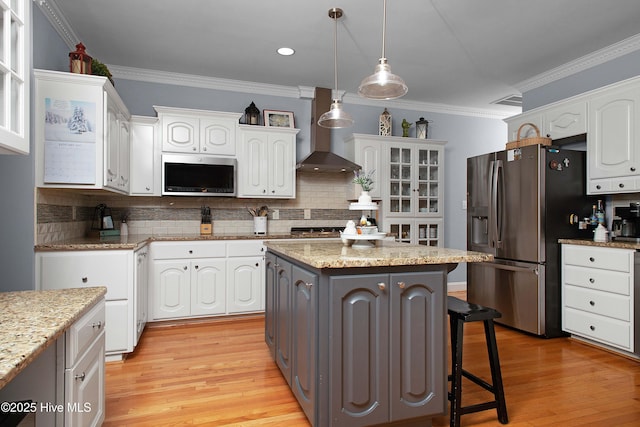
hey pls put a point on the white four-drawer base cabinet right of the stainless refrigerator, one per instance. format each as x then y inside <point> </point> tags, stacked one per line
<point>598,291</point>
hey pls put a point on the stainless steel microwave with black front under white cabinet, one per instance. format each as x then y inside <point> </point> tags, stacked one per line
<point>198,175</point>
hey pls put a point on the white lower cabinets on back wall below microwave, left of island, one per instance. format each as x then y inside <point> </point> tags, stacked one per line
<point>194,279</point>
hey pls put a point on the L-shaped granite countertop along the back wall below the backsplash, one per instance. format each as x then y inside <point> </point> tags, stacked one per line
<point>136,241</point>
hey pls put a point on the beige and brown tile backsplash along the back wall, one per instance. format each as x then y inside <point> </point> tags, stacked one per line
<point>63,214</point>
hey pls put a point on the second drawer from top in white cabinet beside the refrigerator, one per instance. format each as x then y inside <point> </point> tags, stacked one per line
<point>592,278</point>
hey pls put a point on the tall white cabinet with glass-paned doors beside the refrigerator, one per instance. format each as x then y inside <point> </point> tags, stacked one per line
<point>411,184</point>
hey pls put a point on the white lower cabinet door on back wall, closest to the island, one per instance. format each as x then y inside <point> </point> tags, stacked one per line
<point>245,284</point>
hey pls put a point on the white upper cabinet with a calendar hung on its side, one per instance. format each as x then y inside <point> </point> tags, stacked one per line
<point>81,133</point>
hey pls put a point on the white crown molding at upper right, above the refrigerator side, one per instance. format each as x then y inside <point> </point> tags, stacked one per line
<point>591,60</point>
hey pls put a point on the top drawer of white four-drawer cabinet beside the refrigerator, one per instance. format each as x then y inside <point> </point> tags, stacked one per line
<point>597,257</point>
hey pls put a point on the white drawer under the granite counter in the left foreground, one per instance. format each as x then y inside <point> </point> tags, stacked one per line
<point>83,332</point>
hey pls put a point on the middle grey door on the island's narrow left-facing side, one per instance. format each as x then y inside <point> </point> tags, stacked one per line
<point>283,318</point>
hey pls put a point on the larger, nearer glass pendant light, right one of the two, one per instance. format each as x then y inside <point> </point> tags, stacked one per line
<point>383,84</point>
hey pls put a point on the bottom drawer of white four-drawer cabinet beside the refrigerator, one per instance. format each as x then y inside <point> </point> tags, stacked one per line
<point>599,328</point>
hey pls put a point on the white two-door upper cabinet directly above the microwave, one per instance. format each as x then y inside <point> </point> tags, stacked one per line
<point>198,131</point>
